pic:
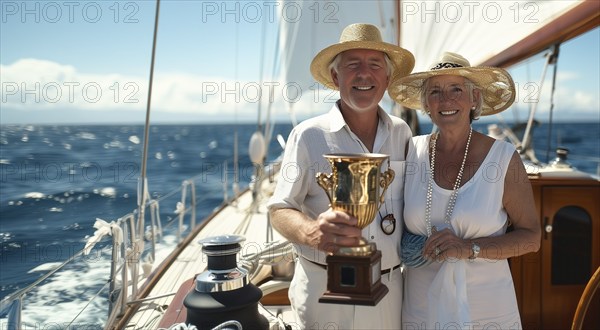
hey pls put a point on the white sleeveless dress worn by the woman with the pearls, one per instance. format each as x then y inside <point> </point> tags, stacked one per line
<point>481,291</point>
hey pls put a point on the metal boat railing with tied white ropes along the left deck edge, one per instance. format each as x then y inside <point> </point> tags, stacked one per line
<point>126,252</point>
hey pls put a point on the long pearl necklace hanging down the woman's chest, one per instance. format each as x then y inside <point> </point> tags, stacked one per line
<point>452,201</point>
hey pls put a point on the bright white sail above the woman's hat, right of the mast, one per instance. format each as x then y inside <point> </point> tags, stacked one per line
<point>477,30</point>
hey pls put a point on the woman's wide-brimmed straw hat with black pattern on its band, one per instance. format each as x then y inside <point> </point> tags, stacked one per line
<point>497,86</point>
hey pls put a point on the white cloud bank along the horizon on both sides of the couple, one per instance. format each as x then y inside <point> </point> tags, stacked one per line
<point>32,85</point>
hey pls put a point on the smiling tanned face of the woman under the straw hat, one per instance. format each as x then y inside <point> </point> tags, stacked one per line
<point>448,100</point>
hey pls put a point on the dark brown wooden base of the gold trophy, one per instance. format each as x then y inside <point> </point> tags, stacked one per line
<point>354,280</point>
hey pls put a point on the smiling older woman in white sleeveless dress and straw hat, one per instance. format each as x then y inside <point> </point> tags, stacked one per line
<point>462,190</point>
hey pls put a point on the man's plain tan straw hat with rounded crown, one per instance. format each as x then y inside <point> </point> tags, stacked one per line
<point>360,36</point>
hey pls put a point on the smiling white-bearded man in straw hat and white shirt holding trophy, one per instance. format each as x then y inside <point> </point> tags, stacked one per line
<point>360,66</point>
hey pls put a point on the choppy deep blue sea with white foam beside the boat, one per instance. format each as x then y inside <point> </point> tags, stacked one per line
<point>57,180</point>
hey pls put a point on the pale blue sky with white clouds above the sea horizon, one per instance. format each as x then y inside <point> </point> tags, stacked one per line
<point>88,62</point>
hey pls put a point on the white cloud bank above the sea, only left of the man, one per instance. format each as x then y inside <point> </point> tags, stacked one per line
<point>34,84</point>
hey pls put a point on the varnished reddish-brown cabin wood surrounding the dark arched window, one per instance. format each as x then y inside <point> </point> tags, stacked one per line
<point>543,305</point>
